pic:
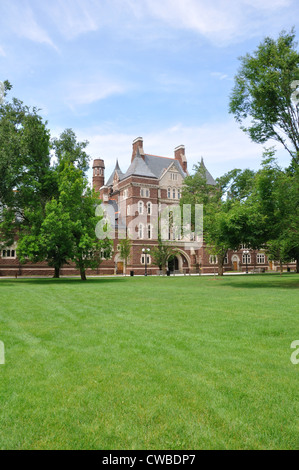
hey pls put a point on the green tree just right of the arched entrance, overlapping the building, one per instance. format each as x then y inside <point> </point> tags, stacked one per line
<point>227,222</point>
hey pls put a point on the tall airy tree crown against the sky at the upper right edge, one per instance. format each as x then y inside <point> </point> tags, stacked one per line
<point>262,98</point>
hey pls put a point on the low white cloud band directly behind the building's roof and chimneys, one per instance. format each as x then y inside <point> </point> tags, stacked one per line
<point>222,145</point>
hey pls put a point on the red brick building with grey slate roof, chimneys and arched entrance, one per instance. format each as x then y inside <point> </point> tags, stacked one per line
<point>136,203</point>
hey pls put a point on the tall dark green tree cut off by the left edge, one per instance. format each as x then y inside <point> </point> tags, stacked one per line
<point>27,180</point>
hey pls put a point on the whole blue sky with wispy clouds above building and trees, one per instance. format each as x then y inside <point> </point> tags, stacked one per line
<point>114,70</point>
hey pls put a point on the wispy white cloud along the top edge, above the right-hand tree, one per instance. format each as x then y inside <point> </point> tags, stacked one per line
<point>220,21</point>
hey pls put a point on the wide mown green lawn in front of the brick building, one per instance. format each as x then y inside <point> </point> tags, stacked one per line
<point>150,363</point>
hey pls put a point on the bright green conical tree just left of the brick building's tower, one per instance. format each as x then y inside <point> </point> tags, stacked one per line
<point>66,230</point>
